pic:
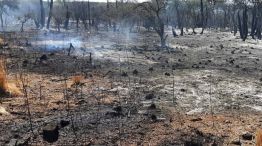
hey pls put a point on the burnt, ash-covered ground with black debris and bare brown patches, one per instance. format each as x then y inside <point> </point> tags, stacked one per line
<point>201,90</point>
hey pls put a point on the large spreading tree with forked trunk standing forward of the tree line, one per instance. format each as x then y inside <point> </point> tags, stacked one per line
<point>153,11</point>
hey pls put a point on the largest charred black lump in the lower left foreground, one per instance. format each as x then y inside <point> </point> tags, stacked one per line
<point>50,132</point>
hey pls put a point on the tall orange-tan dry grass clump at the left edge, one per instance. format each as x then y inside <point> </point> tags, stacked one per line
<point>5,86</point>
